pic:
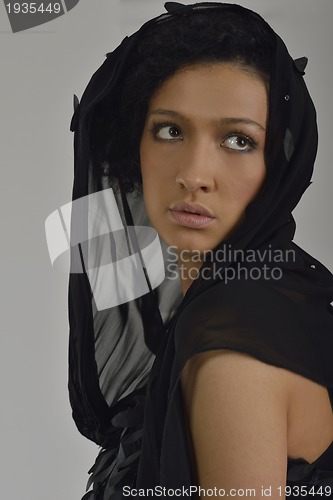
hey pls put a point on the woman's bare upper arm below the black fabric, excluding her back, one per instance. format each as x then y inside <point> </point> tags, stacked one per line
<point>236,410</point>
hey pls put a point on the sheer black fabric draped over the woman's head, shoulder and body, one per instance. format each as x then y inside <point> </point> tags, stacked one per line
<point>131,332</point>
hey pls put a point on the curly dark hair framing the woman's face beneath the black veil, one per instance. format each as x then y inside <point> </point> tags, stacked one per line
<point>203,36</point>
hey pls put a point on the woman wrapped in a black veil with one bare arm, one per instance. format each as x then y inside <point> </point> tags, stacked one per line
<point>200,125</point>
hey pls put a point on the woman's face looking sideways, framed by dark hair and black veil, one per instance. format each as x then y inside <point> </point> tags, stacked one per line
<point>202,153</point>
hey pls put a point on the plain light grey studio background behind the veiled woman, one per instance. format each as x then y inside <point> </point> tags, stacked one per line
<point>43,457</point>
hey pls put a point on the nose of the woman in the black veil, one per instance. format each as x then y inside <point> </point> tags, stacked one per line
<point>196,168</point>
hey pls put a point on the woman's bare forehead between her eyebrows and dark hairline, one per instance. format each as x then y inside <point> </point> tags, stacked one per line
<point>213,91</point>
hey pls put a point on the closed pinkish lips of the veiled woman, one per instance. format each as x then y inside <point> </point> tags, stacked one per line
<point>193,216</point>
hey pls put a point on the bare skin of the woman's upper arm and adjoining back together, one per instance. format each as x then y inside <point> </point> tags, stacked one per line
<point>246,417</point>
